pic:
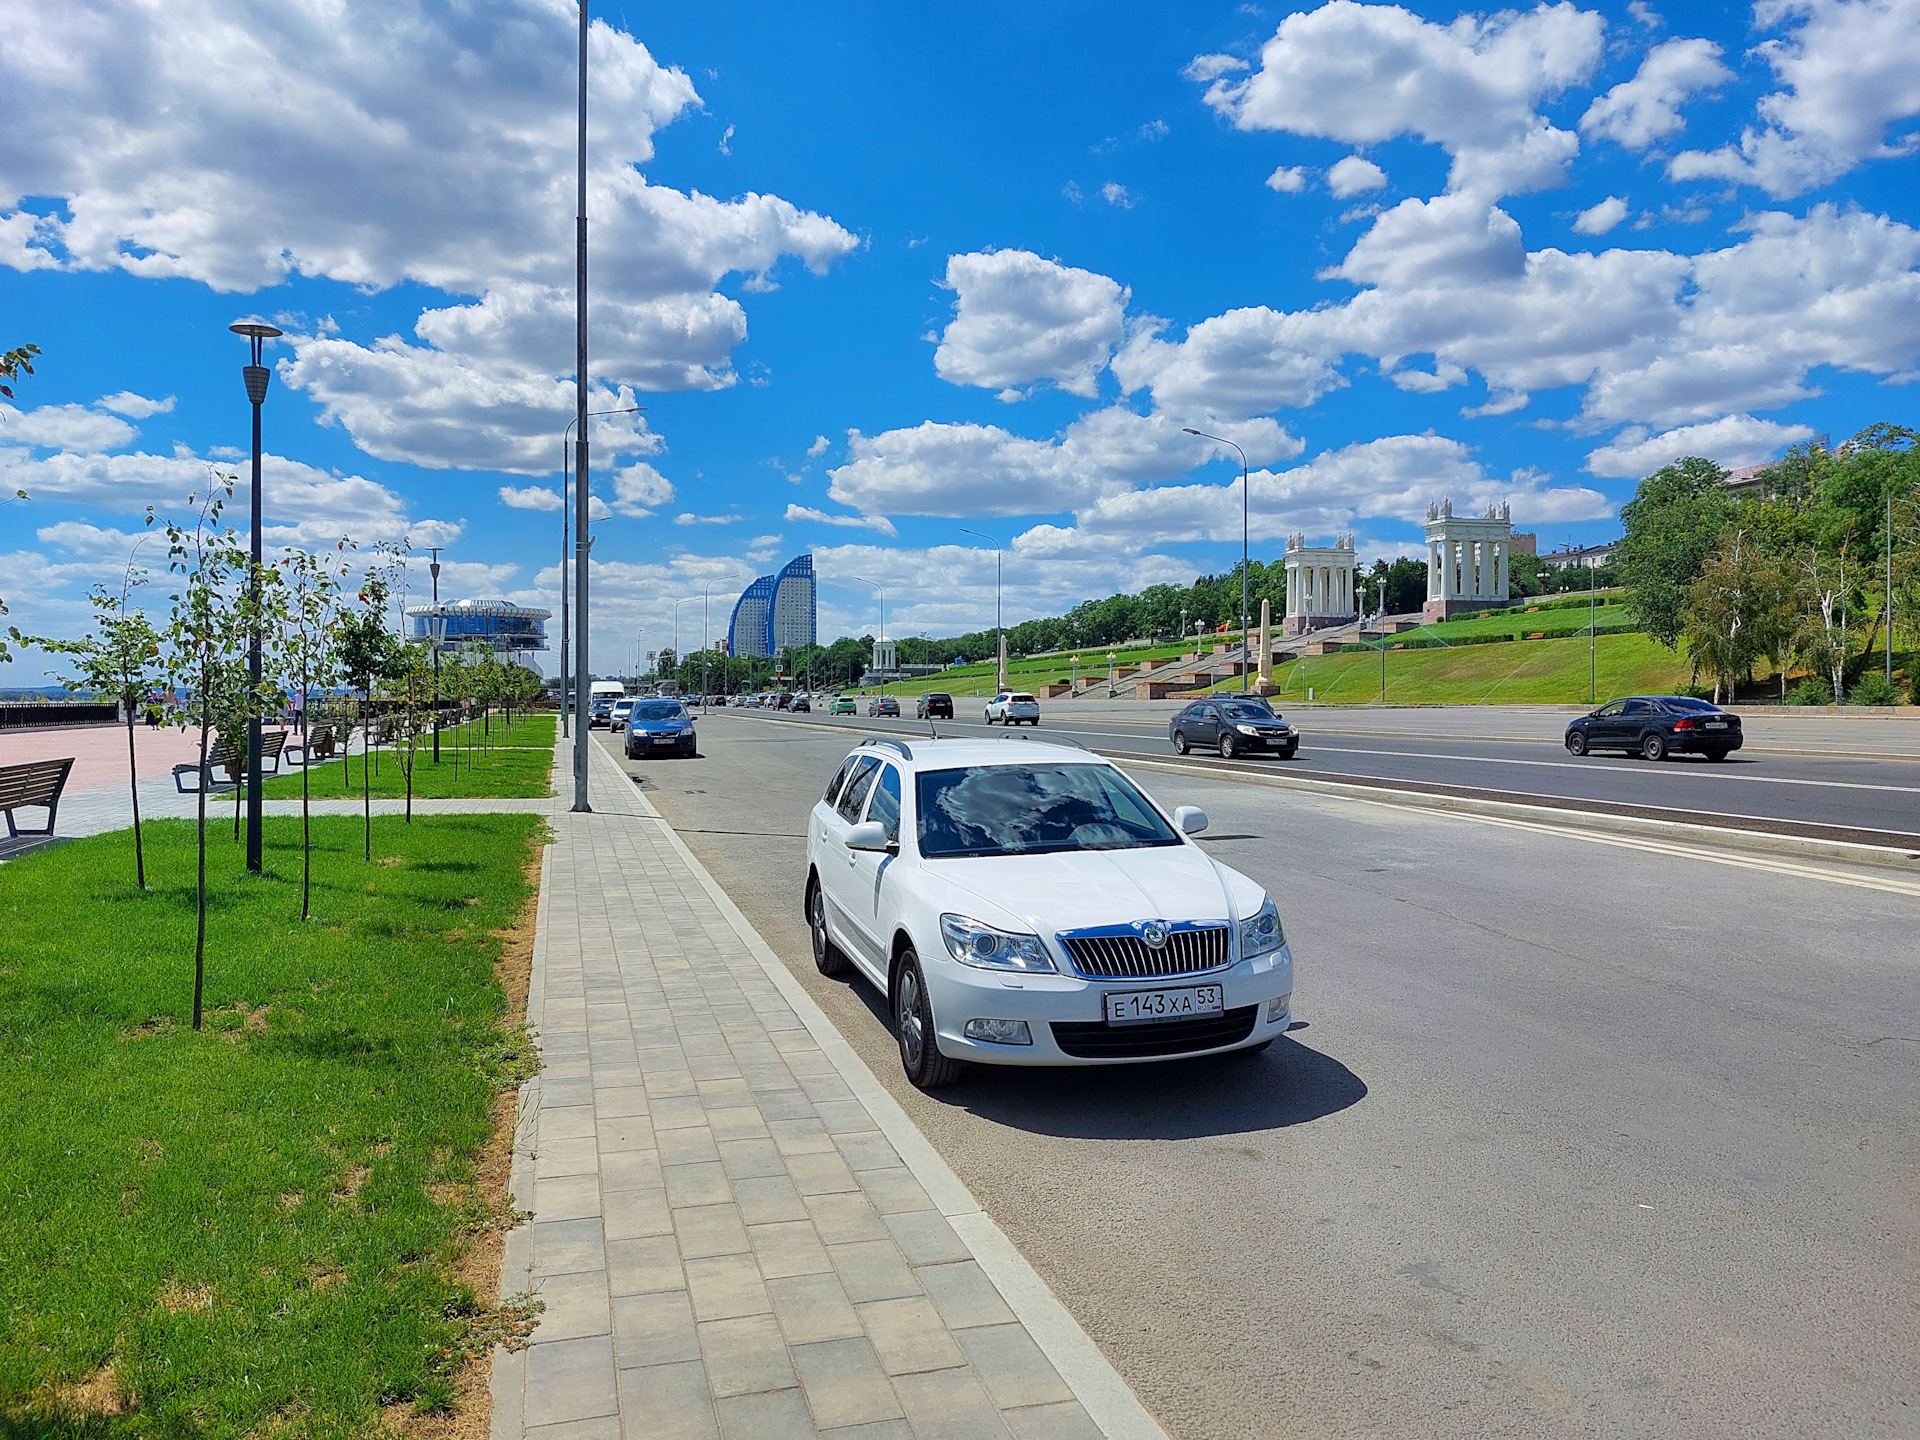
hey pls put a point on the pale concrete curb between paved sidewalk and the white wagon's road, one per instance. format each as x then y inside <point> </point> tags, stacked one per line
<point>1101,1391</point>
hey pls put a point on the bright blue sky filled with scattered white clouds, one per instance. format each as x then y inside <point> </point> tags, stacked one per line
<point>884,272</point>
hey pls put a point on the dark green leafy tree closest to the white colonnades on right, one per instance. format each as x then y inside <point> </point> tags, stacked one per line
<point>1673,523</point>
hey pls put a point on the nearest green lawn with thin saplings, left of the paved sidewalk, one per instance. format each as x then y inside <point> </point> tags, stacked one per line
<point>252,1226</point>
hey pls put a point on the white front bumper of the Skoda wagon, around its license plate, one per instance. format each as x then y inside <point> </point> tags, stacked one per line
<point>963,994</point>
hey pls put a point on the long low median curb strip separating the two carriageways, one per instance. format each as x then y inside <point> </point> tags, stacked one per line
<point>1560,817</point>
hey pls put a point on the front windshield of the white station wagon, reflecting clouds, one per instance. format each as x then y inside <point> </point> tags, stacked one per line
<point>1028,809</point>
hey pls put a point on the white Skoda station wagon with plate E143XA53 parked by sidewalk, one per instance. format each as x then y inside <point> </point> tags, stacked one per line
<point>1024,903</point>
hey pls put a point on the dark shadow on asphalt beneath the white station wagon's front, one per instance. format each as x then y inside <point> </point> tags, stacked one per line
<point>1287,1084</point>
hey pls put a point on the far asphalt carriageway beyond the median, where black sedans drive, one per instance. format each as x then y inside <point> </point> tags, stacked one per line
<point>1767,784</point>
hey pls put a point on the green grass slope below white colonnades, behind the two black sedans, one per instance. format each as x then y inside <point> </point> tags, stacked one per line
<point>1525,671</point>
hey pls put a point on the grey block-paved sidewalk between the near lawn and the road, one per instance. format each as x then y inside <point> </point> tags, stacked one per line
<point>725,1237</point>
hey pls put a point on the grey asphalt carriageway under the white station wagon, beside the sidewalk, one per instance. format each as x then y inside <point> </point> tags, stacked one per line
<point>1579,1141</point>
